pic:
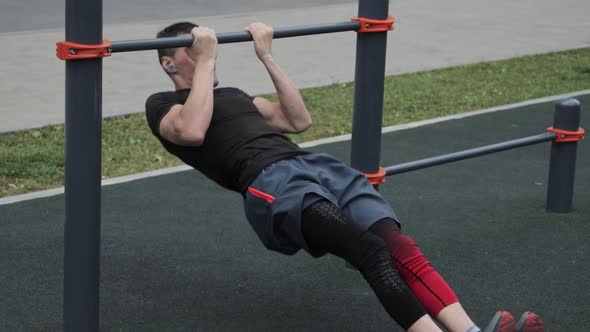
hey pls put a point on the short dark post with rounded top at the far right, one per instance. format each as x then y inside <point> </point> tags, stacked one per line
<point>562,166</point>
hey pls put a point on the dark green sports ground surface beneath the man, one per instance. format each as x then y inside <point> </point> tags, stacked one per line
<point>178,255</point>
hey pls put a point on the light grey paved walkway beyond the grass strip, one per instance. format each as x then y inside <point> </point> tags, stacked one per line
<point>429,34</point>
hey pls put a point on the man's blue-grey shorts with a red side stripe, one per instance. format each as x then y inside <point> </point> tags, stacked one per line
<point>276,198</point>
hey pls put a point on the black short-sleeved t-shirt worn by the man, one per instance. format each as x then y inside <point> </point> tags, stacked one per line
<point>238,144</point>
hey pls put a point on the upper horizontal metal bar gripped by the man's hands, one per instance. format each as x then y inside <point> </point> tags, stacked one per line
<point>232,37</point>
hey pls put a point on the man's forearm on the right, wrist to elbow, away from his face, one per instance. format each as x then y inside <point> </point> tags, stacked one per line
<point>290,99</point>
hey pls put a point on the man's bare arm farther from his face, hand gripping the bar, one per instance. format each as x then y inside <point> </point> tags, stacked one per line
<point>290,114</point>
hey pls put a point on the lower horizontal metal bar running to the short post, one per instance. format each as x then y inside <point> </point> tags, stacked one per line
<point>466,154</point>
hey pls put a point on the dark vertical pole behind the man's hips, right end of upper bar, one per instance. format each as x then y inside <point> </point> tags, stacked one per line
<point>368,90</point>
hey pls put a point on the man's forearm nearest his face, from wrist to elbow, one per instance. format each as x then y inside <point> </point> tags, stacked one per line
<point>195,114</point>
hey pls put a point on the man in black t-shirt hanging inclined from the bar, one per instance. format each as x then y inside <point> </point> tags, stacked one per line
<point>294,199</point>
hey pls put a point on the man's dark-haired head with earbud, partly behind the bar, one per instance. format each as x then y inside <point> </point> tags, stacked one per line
<point>175,62</point>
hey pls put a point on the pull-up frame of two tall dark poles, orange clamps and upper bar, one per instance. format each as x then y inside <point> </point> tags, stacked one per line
<point>84,115</point>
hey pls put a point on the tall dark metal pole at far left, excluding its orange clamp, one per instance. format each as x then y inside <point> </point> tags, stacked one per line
<point>82,170</point>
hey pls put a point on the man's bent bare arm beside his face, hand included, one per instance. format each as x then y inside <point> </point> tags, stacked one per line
<point>187,124</point>
